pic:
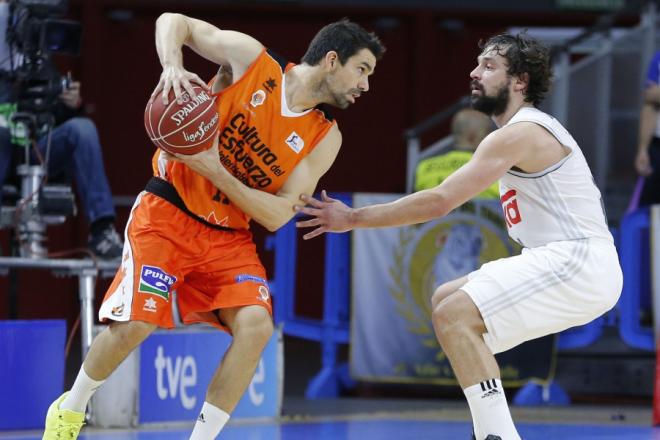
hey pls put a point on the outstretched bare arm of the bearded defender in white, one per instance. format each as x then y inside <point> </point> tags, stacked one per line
<point>518,145</point>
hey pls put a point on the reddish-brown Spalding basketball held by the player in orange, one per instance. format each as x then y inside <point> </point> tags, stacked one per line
<point>186,128</point>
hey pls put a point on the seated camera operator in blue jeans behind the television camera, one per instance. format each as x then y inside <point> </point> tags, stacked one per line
<point>75,149</point>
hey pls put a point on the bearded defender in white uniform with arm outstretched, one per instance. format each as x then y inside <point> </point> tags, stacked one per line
<point>568,273</point>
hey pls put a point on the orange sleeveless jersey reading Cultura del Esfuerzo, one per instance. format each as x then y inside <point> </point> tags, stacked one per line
<point>260,142</point>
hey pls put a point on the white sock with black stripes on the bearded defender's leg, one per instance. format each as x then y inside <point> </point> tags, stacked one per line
<point>490,411</point>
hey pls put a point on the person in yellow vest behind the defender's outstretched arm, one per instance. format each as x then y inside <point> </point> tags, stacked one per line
<point>468,127</point>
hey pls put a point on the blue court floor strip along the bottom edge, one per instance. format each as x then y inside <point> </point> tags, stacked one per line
<point>374,429</point>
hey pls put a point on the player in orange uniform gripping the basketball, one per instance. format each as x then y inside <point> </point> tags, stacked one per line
<point>188,231</point>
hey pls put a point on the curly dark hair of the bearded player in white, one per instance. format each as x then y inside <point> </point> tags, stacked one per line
<point>524,54</point>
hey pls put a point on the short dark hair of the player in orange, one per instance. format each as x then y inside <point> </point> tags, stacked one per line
<point>344,37</point>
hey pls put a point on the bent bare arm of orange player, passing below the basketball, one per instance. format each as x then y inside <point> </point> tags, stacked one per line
<point>270,210</point>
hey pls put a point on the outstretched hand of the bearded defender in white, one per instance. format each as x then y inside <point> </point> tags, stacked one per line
<point>330,215</point>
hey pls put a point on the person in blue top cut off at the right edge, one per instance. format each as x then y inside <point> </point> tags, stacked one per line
<point>647,162</point>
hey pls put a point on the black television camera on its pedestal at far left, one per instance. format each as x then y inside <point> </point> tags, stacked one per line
<point>34,35</point>
